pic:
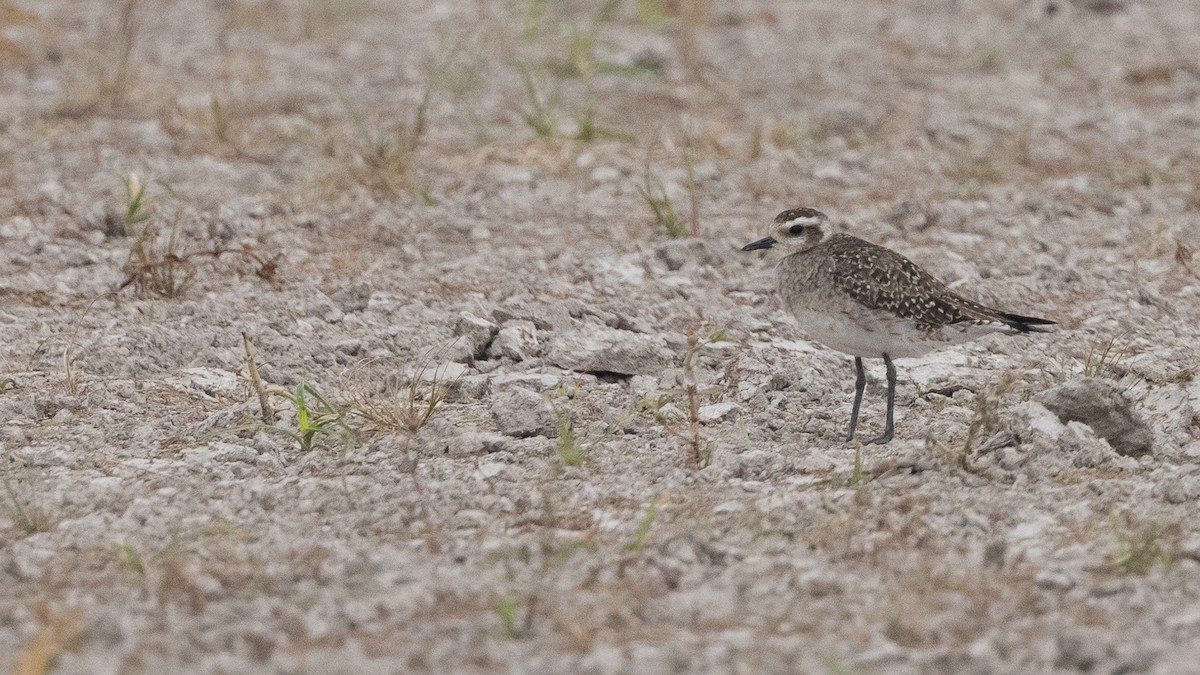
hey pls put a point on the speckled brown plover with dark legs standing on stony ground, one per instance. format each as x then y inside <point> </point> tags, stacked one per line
<point>871,302</point>
